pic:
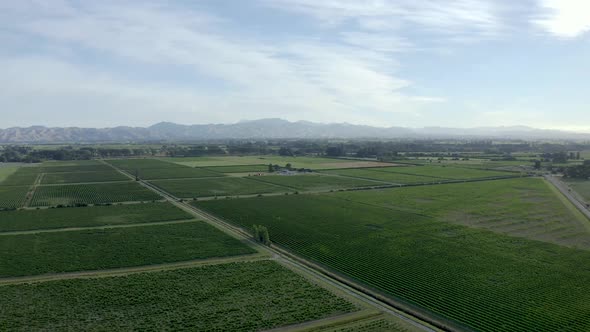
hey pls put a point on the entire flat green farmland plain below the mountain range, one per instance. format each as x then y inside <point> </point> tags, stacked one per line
<point>296,235</point>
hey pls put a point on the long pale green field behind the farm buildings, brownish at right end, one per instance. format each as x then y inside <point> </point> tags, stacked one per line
<point>296,162</point>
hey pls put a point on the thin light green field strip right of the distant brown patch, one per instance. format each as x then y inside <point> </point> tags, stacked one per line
<point>445,172</point>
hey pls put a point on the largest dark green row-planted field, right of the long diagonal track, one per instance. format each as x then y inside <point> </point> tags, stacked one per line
<point>476,278</point>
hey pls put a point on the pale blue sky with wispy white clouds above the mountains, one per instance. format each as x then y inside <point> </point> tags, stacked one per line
<point>411,63</point>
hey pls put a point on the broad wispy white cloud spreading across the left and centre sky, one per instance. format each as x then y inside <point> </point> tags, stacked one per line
<point>291,79</point>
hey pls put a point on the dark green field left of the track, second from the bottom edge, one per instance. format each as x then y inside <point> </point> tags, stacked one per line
<point>96,249</point>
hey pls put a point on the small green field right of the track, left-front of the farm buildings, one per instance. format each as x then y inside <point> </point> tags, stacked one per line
<point>228,186</point>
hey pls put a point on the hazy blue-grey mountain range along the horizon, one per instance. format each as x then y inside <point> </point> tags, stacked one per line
<point>266,128</point>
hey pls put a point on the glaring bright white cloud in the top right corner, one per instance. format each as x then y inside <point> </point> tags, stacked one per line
<point>564,18</point>
